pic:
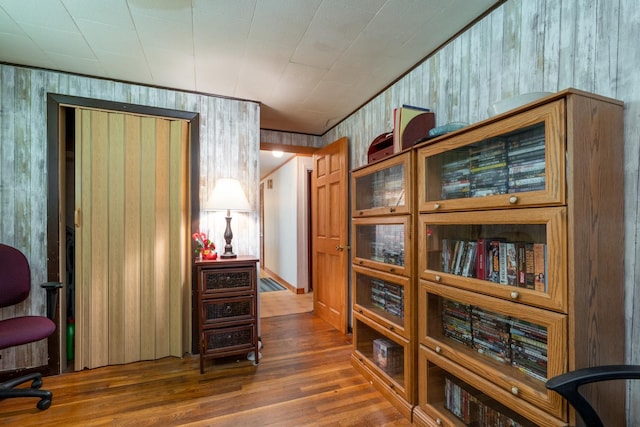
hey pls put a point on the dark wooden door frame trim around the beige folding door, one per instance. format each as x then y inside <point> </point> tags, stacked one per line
<point>54,103</point>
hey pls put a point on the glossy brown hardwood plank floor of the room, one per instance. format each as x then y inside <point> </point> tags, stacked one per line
<point>304,379</point>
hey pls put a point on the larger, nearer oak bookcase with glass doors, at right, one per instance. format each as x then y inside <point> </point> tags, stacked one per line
<point>496,318</point>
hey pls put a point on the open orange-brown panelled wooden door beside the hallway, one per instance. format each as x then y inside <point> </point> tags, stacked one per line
<point>329,201</point>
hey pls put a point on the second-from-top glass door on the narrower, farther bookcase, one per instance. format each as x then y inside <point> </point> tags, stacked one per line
<point>380,243</point>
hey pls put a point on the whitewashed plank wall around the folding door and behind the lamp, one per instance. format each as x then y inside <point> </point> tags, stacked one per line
<point>229,146</point>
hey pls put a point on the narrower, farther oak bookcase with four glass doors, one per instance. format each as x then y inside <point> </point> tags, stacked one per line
<point>384,278</point>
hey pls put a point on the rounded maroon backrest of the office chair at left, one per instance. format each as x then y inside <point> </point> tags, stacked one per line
<point>15,276</point>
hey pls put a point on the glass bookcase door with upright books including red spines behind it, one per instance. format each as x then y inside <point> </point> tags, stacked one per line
<point>511,254</point>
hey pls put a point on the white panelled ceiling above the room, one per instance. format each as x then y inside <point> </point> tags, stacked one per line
<point>310,63</point>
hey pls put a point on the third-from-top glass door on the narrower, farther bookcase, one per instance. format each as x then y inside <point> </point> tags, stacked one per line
<point>383,297</point>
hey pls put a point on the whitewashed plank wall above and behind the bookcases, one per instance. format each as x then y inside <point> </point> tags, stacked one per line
<point>526,46</point>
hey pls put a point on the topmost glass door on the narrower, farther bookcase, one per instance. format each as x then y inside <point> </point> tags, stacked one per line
<point>382,189</point>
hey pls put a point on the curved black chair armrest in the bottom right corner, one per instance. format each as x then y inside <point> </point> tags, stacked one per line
<point>567,386</point>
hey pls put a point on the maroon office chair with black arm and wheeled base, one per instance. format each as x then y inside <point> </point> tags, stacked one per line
<point>15,285</point>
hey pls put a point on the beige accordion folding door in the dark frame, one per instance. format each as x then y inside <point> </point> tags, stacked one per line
<point>132,236</point>
